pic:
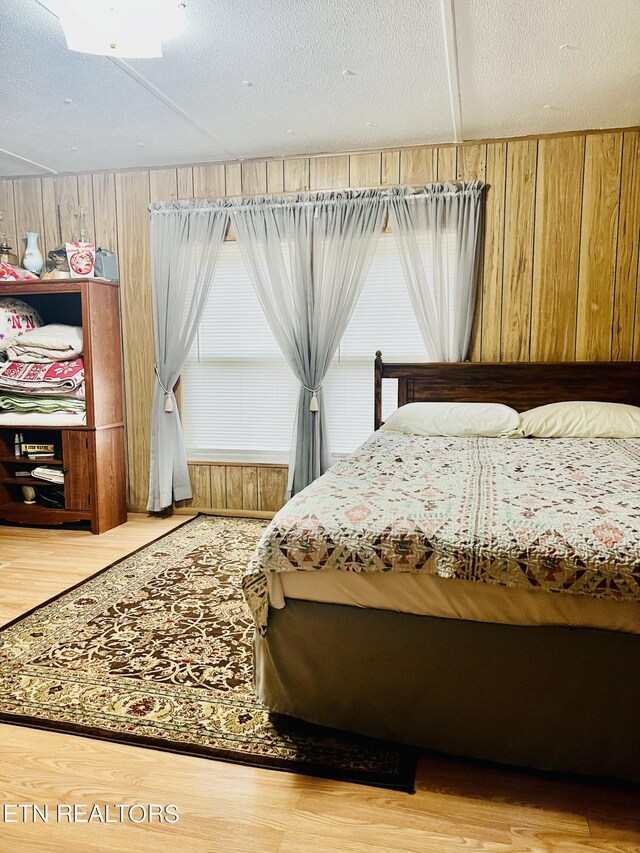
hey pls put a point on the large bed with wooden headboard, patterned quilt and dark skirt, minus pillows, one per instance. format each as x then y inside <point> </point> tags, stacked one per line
<point>468,651</point>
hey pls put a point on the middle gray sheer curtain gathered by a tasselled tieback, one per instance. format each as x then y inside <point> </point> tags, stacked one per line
<point>308,256</point>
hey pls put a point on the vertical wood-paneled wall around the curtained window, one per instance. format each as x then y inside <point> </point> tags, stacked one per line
<point>558,277</point>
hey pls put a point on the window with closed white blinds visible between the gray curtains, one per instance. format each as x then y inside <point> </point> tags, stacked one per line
<point>239,395</point>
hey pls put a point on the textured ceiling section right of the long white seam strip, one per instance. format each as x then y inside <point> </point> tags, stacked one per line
<point>578,58</point>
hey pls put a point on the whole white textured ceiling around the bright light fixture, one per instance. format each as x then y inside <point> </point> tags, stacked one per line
<point>420,71</point>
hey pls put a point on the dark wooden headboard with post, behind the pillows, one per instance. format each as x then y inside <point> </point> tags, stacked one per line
<point>521,385</point>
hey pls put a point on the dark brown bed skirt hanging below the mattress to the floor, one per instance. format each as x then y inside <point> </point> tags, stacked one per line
<point>553,698</point>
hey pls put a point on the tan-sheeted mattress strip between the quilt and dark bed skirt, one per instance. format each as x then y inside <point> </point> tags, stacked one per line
<point>429,595</point>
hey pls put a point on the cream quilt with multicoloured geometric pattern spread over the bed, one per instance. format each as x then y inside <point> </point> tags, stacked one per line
<point>560,515</point>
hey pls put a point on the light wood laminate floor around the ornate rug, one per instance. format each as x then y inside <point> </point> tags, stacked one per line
<point>231,809</point>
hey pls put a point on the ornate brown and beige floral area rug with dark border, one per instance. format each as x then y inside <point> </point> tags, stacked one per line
<point>155,650</point>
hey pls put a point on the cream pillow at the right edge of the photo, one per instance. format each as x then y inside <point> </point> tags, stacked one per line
<point>582,419</point>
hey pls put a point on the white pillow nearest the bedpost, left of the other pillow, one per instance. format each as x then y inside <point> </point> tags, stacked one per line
<point>456,419</point>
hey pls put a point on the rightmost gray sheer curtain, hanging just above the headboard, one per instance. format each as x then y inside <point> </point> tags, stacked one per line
<point>438,236</point>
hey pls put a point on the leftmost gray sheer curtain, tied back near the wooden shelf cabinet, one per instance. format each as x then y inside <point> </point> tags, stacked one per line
<point>185,238</point>
